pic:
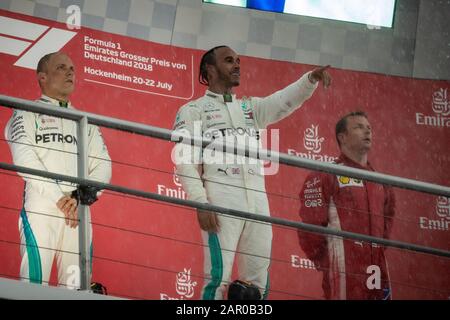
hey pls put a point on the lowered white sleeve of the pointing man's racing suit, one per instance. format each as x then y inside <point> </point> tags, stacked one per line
<point>188,158</point>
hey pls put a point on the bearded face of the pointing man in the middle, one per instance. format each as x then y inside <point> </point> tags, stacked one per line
<point>227,68</point>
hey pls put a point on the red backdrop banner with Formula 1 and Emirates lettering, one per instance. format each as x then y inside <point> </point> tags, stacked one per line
<point>152,250</point>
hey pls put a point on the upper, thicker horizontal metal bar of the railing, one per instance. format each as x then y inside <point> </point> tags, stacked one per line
<point>165,134</point>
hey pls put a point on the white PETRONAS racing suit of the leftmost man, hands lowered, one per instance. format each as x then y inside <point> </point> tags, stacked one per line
<point>48,143</point>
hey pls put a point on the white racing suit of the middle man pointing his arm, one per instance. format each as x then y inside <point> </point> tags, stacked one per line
<point>233,181</point>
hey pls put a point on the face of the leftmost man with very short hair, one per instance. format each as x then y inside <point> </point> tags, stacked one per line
<point>59,78</point>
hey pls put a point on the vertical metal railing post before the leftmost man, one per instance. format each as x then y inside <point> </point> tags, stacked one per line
<point>83,210</point>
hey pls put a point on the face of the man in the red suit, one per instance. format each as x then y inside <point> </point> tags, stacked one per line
<point>358,136</point>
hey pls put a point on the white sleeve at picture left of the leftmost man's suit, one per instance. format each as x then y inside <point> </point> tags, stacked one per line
<point>20,132</point>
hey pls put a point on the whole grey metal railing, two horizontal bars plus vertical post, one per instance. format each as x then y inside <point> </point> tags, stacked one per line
<point>84,118</point>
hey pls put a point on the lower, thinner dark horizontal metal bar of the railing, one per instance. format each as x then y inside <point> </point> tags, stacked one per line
<point>231,212</point>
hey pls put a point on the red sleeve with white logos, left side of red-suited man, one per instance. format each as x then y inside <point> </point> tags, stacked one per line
<point>314,204</point>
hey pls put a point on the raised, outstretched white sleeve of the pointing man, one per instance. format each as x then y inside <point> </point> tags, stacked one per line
<point>283,102</point>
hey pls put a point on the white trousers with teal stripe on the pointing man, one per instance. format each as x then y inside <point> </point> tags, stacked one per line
<point>252,239</point>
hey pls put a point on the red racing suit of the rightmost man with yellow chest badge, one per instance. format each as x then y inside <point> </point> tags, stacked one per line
<point>351,269</point>
